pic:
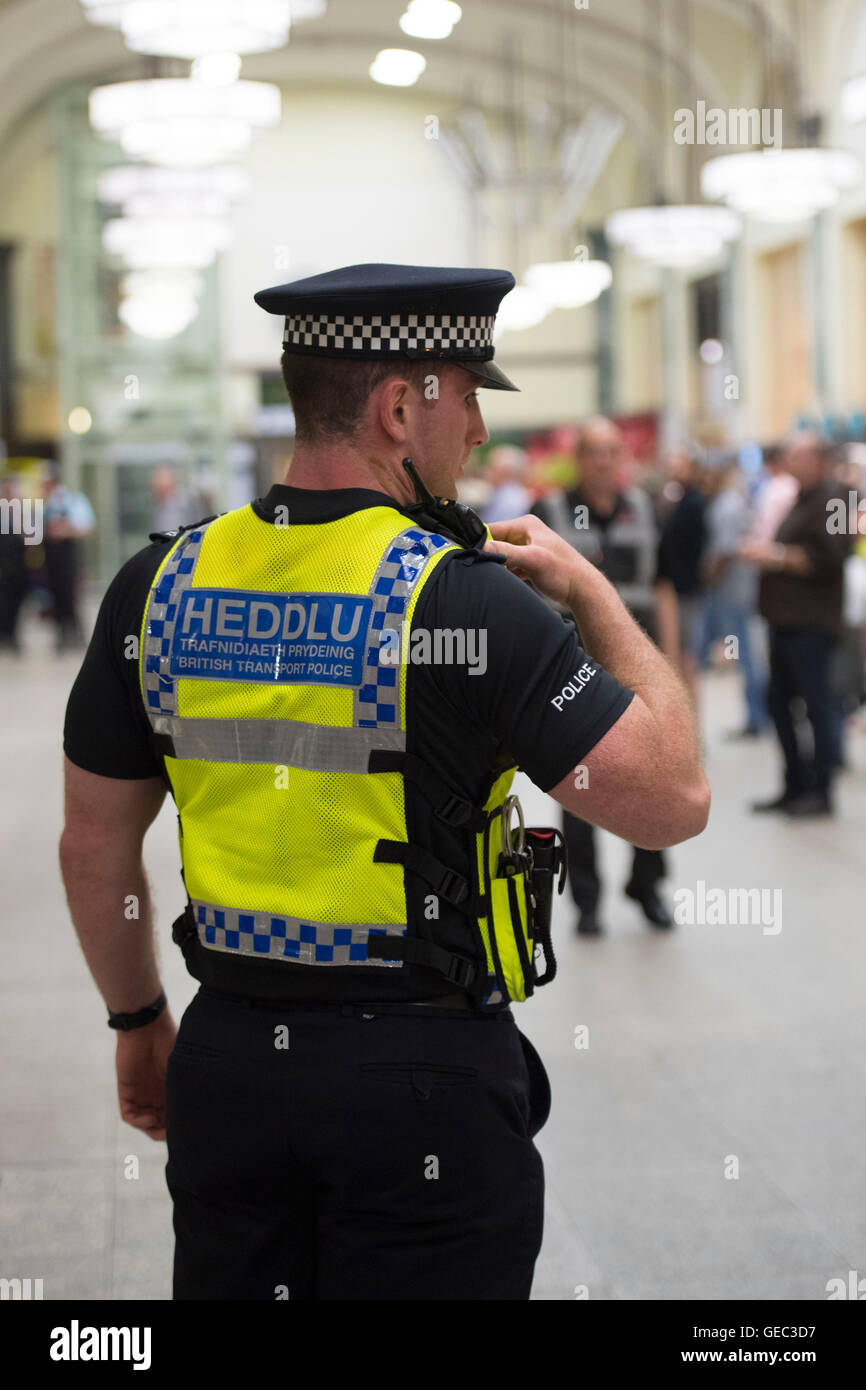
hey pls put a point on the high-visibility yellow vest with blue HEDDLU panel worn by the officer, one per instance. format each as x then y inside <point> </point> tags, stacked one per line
<point>283,729</point>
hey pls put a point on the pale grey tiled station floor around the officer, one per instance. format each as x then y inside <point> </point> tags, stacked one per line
<point>707,1143</point>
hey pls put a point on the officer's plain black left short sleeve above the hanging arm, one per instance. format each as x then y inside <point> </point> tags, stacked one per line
<point>106,729</point>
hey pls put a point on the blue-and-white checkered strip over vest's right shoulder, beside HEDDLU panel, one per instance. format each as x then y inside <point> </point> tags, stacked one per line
<point>377,704</point>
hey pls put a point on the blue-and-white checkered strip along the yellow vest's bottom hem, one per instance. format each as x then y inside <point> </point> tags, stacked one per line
<point>297,940</point>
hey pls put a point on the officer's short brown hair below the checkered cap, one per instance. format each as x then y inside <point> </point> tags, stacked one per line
<point>330,395</point>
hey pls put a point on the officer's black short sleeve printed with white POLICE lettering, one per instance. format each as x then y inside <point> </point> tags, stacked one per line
<point>528,683</point>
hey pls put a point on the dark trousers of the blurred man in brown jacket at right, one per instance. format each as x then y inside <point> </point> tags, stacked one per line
<point>800,667</point>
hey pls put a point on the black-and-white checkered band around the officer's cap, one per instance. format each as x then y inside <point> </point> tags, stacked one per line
<point>443,336</point>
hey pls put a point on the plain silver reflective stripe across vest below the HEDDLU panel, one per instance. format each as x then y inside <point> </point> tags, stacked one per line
<point>316,749</point>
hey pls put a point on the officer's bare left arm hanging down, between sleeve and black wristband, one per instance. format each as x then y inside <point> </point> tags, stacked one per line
<point>101,858</point>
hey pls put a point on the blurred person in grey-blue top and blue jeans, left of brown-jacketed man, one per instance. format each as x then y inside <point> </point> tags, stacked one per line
<point>732,589</point>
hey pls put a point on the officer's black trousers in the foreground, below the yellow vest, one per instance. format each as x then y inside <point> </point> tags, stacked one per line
<point>384,1154</point>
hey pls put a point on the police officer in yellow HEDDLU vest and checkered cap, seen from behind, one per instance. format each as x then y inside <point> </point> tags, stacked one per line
<point>336,685</point>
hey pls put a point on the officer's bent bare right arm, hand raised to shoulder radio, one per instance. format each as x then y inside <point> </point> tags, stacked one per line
<point>644,779</point>
